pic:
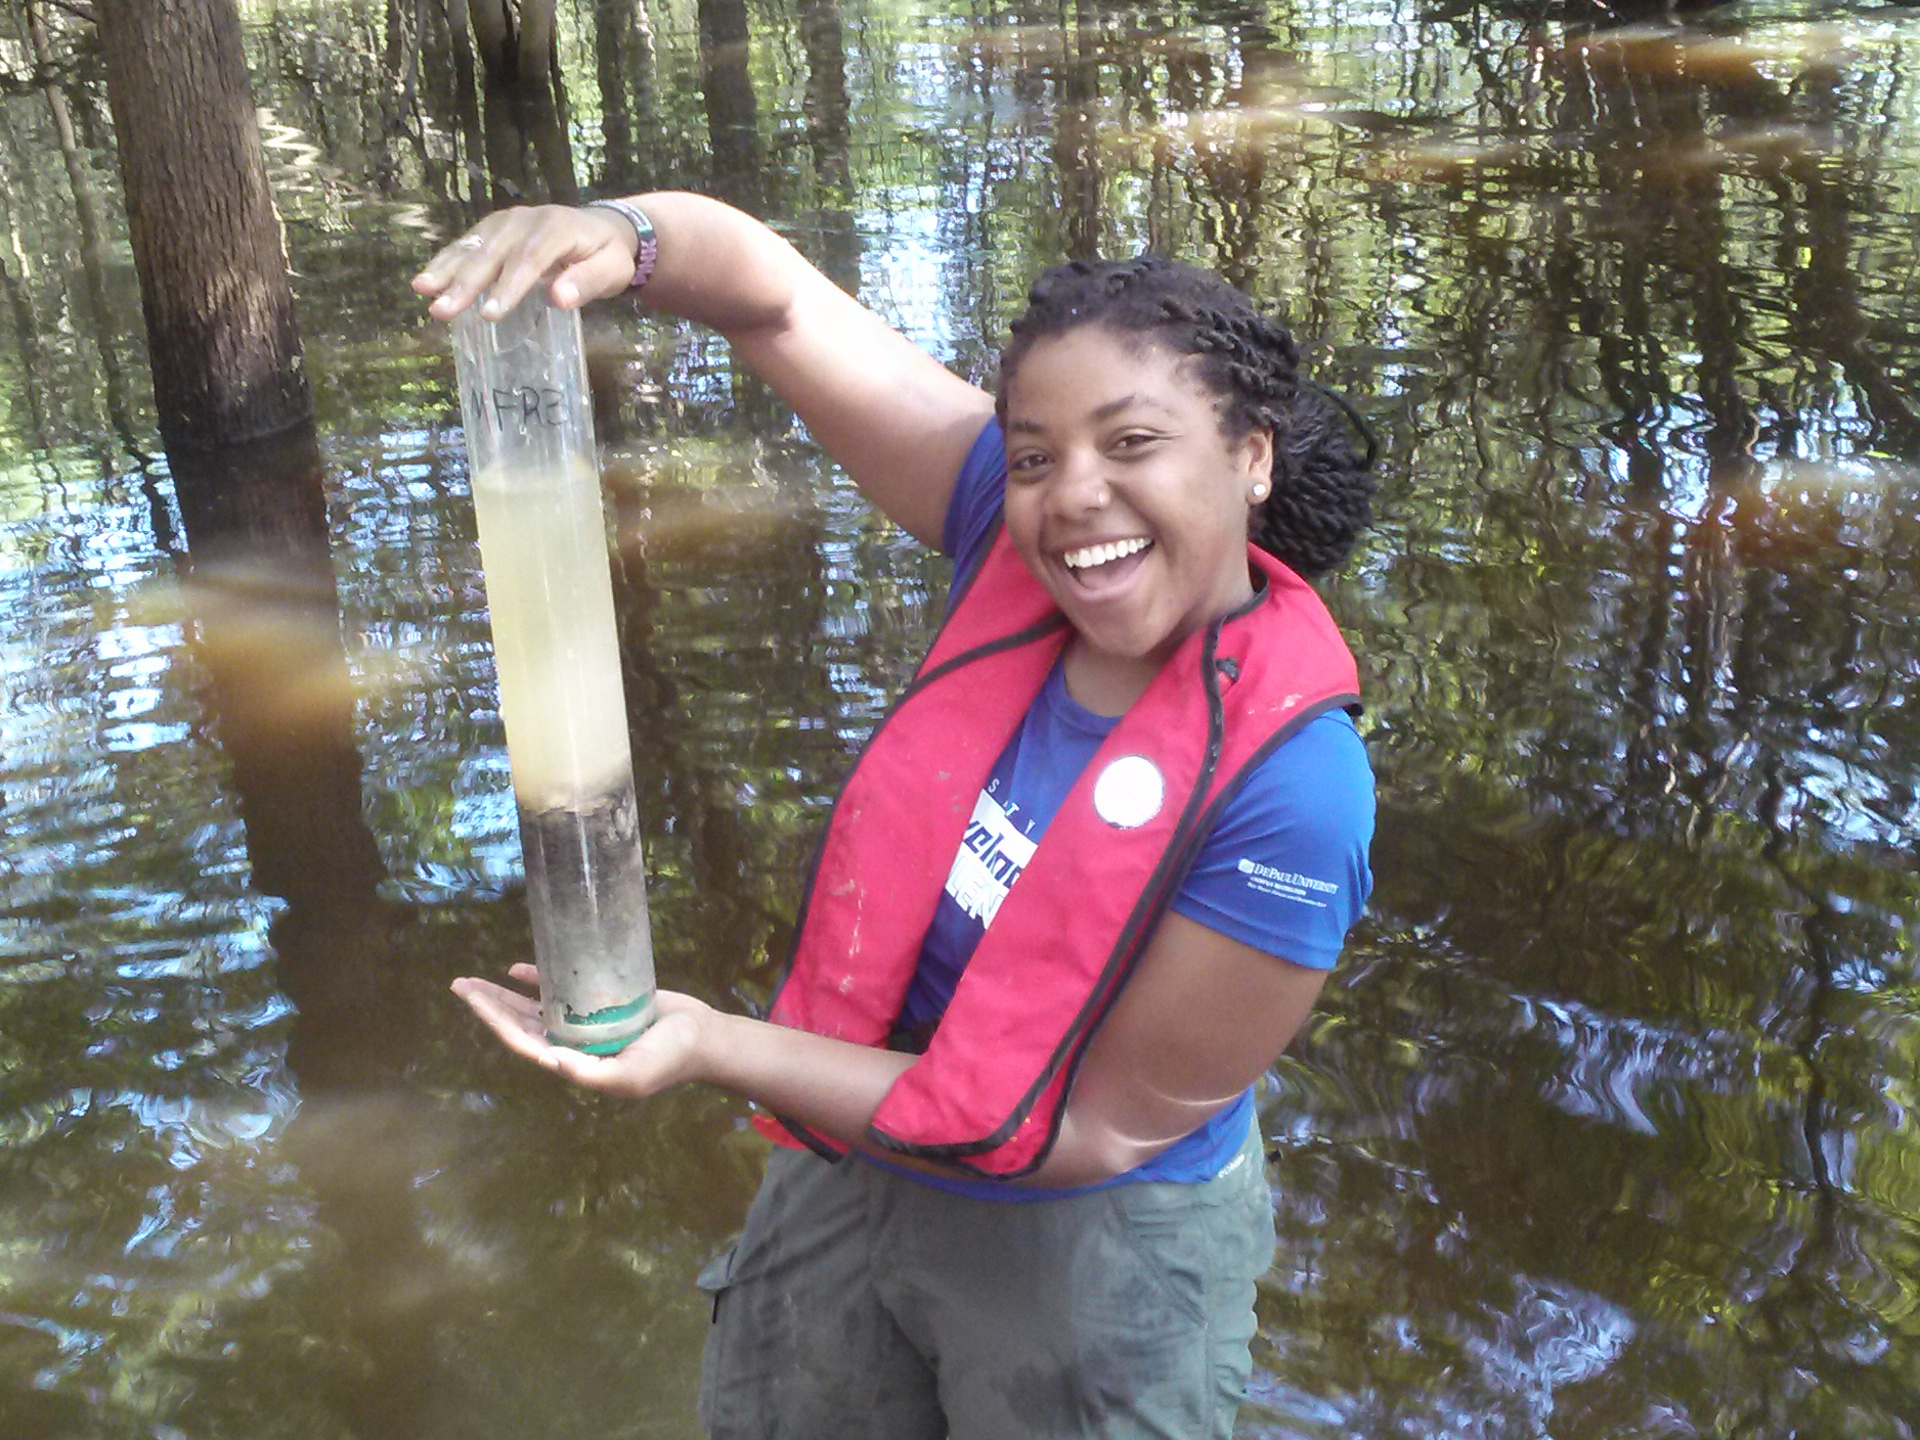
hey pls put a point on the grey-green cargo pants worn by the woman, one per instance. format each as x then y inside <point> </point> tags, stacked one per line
<point>865,1307</point>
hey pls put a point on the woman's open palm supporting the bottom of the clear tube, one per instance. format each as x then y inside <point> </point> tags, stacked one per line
<point>665,1055</point>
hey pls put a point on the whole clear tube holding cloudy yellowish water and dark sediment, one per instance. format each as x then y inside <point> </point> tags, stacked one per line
<point>550,602</point>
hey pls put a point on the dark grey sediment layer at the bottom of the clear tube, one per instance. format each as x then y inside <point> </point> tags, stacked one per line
<point>588,896</point>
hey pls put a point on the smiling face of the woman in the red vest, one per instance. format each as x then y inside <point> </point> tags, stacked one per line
<point>1126,498</point>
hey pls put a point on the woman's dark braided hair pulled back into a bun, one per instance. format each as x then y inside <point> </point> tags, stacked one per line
<point>1322,483</point>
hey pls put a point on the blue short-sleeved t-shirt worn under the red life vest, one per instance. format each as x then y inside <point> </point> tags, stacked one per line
<point>1285,869</point>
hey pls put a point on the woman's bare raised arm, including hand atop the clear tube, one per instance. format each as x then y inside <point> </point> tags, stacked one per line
<point>894,418</point>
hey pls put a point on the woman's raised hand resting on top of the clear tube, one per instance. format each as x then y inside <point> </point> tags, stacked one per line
<point>587,252</point>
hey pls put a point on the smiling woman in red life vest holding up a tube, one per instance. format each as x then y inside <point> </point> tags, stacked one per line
<point>1055,1211</point>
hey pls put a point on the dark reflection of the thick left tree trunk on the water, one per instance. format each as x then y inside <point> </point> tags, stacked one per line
<point>260,587</point>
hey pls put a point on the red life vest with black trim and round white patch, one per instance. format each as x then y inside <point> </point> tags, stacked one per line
<point>992,1088</point>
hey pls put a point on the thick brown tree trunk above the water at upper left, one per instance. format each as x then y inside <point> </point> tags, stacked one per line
<point>206,239</point>
